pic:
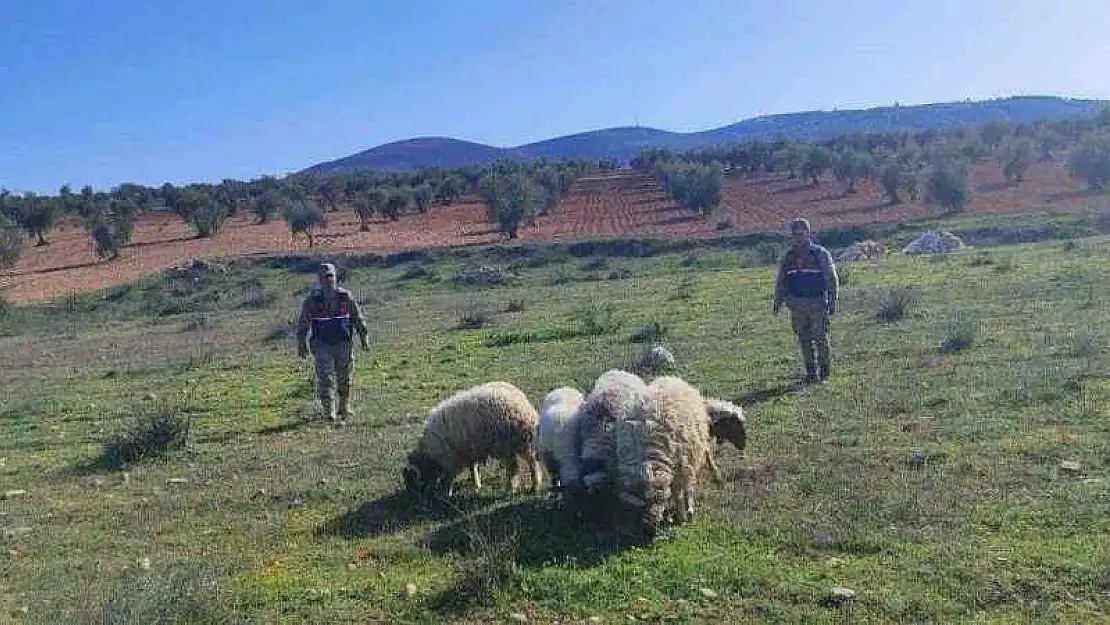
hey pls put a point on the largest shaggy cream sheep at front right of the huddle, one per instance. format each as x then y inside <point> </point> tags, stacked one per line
<point>660,451</point>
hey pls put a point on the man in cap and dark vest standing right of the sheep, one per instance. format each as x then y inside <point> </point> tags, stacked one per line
<point>808,283</point>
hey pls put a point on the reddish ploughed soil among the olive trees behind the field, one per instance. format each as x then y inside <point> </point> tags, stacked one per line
<point>620,205</point>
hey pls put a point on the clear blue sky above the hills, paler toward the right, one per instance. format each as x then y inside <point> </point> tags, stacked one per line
<point>196,92</point>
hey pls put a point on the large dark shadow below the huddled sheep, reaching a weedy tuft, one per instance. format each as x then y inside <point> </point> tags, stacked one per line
<point>493,547</point>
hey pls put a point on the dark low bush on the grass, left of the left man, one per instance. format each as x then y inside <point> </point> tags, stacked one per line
<point>150,434</point>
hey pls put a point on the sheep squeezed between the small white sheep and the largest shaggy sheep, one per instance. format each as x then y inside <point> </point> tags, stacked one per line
<point>615,395</point>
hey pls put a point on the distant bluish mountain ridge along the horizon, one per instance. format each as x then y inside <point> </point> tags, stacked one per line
<point>624,143</point>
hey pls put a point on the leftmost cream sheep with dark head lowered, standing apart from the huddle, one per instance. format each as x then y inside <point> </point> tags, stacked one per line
<point>492,420</point>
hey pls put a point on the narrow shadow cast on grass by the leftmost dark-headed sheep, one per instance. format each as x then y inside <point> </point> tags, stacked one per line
<point>399,511</point>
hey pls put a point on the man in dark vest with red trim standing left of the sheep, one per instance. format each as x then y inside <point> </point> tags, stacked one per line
<point>331,314</point>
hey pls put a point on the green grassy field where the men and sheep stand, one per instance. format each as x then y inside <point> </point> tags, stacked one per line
<point>937,486</point>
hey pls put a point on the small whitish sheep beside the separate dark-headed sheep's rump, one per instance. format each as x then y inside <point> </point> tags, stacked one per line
<point>557,437</point>
